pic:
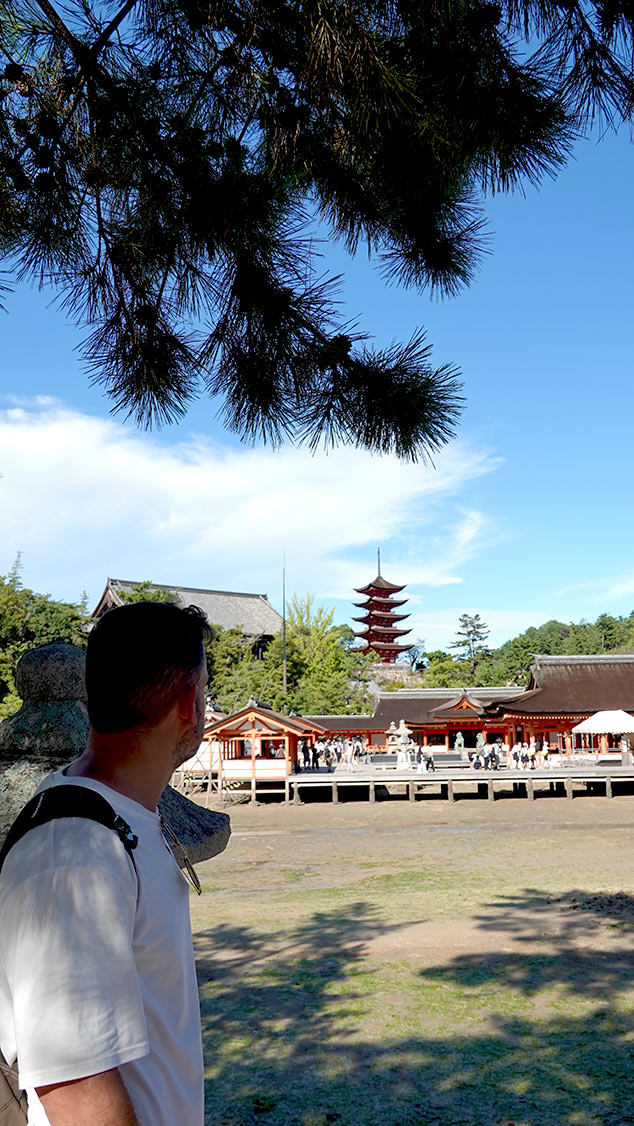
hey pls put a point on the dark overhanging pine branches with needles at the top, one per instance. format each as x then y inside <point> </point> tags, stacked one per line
<point>162,162</point>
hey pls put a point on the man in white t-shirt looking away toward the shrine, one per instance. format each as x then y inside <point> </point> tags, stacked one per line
<point>99,998</point>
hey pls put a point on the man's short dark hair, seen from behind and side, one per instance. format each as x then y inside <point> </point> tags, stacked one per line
<point>139,659</point>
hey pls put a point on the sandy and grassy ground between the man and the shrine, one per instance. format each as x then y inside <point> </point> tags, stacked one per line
<point>421,964</point>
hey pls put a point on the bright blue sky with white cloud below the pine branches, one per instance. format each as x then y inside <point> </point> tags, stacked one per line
<point>528,516</point>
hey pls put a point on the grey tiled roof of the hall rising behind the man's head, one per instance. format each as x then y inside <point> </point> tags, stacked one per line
<point>227,609</point>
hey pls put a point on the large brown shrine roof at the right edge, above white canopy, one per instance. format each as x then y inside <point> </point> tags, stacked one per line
<point>576,685</point>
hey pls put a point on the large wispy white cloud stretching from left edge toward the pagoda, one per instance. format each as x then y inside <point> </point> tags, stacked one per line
<point>85,497</point>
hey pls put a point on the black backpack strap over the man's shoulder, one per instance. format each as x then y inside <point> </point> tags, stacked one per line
<point>68,802</point>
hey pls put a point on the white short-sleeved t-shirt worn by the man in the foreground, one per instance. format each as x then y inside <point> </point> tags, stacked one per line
<point>96,963</point>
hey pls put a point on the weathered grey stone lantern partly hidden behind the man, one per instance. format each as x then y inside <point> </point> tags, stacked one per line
<point>51,730</point>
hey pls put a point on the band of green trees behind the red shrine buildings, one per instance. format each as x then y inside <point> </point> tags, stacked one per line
<point>325,673</point>
